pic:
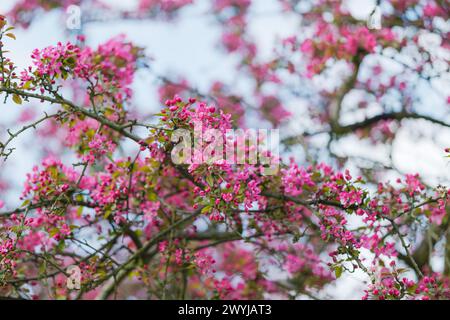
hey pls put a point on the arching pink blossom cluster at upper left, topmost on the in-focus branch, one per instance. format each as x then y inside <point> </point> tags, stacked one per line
<point>109,69</point>
